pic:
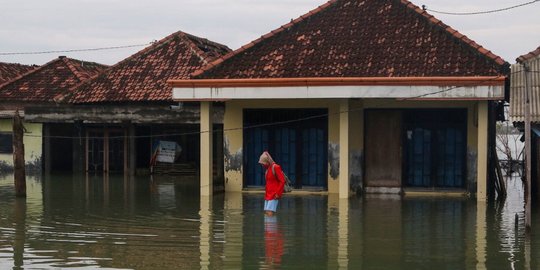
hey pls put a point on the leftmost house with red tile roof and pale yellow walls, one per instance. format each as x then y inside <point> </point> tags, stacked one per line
<point>37,88</point>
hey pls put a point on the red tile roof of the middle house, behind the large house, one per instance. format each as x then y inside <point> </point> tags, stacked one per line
<point>143,76</point>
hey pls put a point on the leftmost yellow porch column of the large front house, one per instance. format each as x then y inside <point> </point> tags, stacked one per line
<point>206,174</point>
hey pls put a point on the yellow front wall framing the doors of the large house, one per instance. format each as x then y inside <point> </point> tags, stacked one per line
<point>233,136</point>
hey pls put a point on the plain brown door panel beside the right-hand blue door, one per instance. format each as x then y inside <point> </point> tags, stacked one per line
<point>383,148</point>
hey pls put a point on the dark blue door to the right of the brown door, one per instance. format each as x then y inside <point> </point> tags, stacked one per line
<point>435,144</point>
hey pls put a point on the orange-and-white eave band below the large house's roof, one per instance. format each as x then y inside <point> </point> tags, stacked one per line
<point>445,88</point>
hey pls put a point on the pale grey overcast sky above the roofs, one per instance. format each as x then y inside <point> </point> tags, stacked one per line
<point>43,25</point>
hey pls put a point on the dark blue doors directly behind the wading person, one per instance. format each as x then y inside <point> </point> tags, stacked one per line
<point>296,139</point>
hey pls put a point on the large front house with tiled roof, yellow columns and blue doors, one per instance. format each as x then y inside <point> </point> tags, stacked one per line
<point>372,95</point>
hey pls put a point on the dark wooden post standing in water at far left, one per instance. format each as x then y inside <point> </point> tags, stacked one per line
<point>18,156</point>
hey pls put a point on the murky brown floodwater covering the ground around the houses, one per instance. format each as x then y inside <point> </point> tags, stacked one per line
<point>119,222</point>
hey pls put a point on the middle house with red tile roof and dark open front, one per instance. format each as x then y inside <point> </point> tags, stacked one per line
<point>120,114</point>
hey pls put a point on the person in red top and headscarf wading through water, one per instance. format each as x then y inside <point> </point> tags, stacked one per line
<point>275,181</point>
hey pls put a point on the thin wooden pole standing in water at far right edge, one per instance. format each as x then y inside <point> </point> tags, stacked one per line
<point>528,186</point>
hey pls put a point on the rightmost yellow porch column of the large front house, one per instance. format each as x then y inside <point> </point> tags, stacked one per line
<point>481,181</point>
